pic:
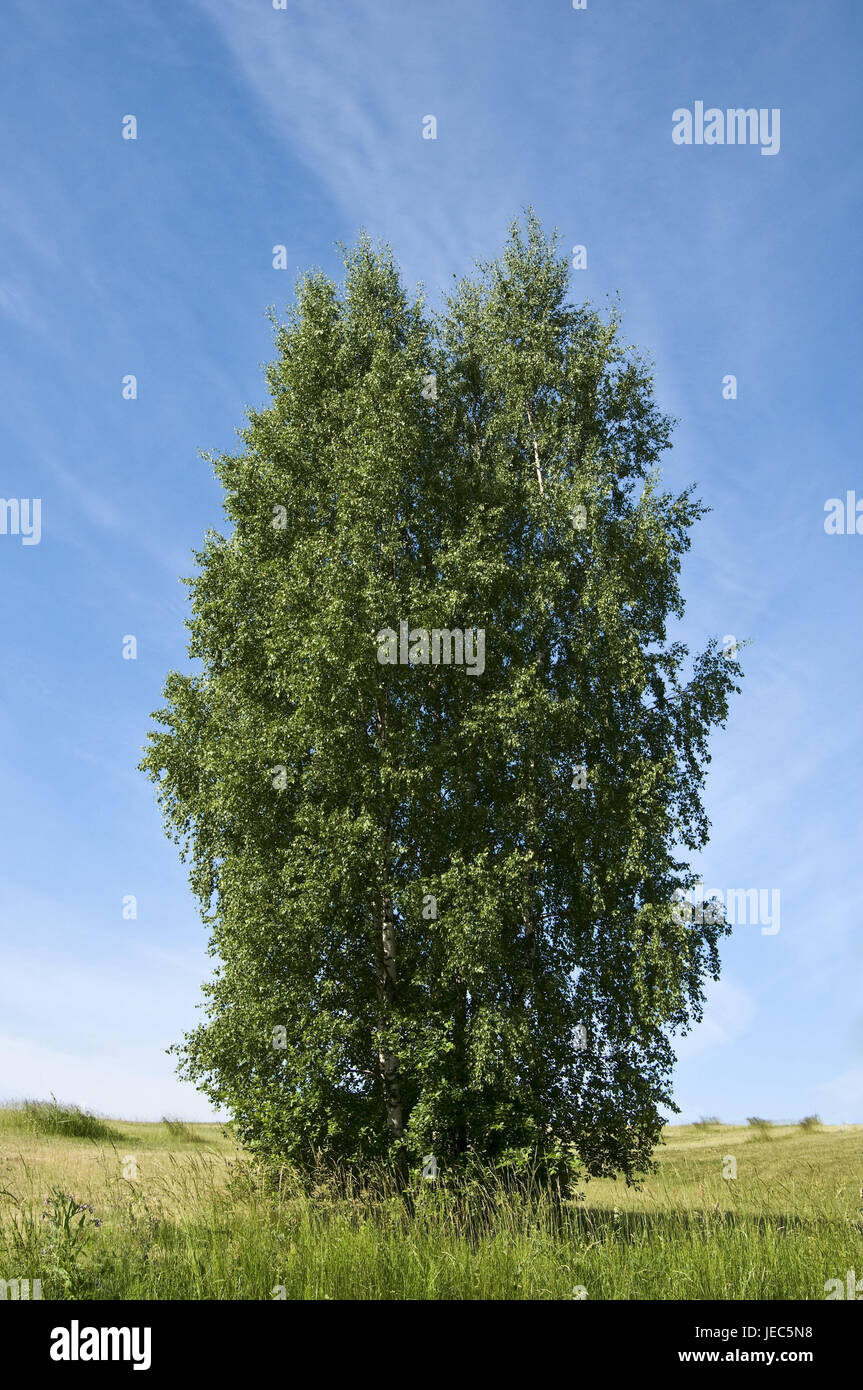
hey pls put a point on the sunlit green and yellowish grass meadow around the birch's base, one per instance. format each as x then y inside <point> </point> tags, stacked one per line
<point>173,1211</point>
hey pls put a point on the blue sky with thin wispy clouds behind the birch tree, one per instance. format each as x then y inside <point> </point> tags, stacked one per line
<point>155,258</point>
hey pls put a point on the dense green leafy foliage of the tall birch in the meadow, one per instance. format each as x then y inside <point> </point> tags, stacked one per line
<point>326,799</point>
